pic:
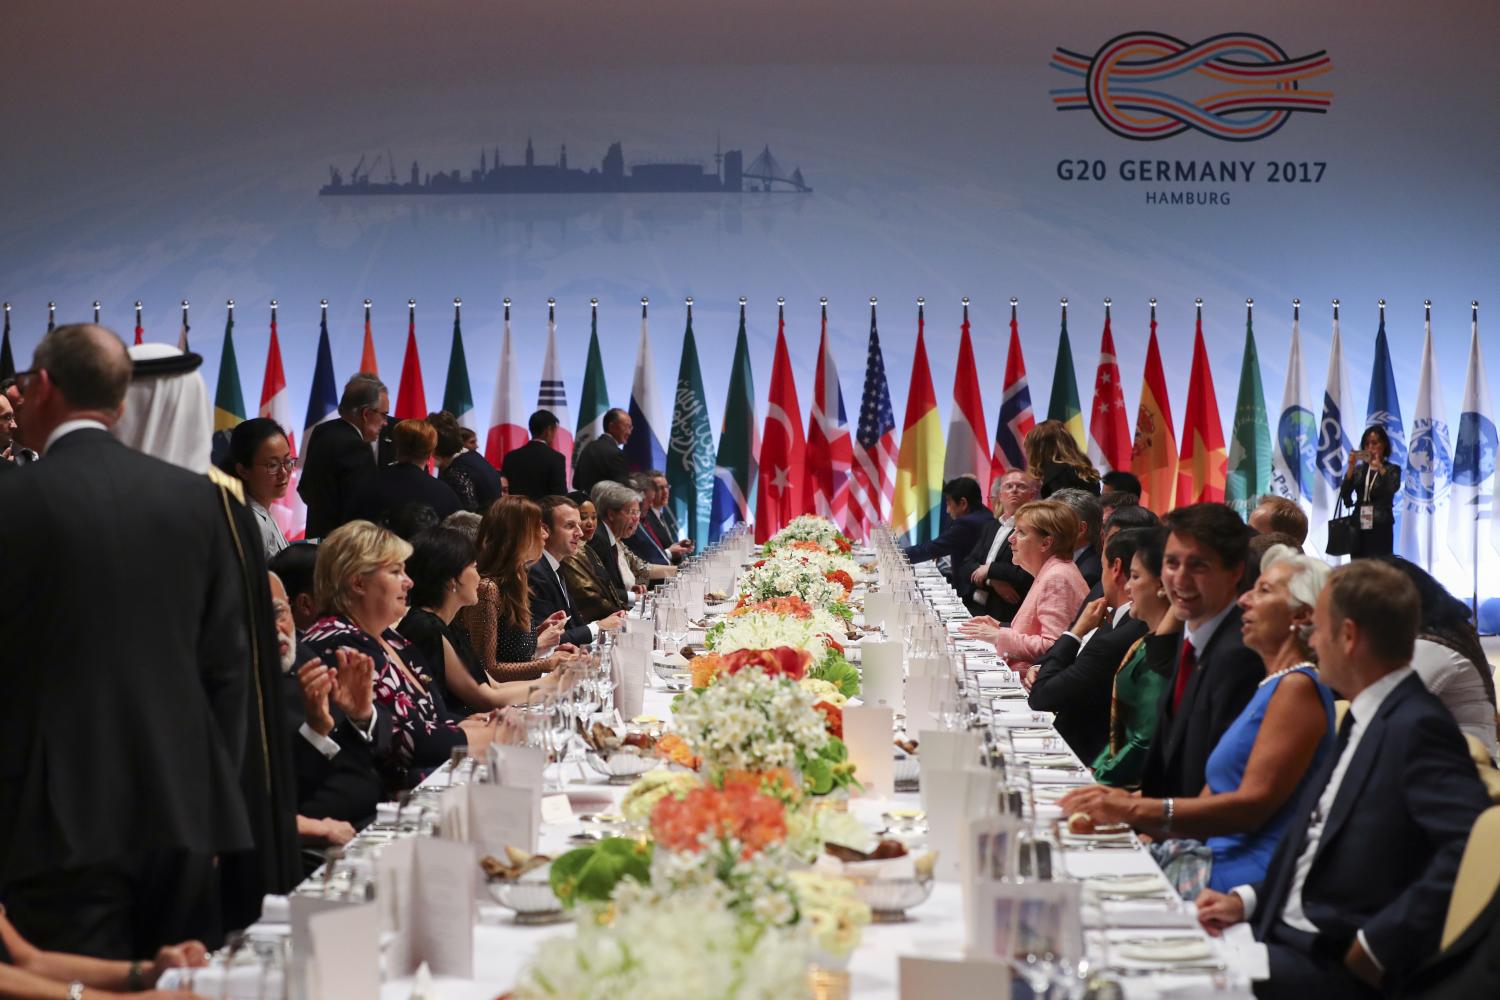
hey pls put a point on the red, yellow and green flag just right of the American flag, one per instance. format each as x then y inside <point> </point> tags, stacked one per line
<point>917,504</point>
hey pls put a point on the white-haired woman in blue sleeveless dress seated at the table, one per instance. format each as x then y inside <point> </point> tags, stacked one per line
<point>1264,758</point>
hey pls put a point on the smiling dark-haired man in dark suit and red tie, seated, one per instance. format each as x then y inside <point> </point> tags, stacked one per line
<point>1199,645</point>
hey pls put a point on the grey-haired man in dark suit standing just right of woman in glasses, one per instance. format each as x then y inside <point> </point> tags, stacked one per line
<point>338,457</point>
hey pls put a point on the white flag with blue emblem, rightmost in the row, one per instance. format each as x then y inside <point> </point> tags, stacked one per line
<point>1474,499</point>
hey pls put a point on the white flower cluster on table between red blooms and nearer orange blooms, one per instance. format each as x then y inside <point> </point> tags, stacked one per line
<point>749,722</point>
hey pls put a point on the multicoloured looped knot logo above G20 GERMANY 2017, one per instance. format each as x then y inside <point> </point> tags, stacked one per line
<point>1123,86</point>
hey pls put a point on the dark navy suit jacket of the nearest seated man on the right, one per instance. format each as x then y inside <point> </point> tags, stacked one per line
<point>1393,840</point>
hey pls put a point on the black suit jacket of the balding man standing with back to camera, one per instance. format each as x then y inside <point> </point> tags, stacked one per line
<point>127,662</point>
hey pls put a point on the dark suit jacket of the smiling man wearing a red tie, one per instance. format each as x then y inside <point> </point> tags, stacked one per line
<point>1219,690</point>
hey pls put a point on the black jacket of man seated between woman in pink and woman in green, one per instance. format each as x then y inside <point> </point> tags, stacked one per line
<point>1079,684</point>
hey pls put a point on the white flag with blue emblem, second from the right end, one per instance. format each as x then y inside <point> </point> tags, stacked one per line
<point>1430,464</point>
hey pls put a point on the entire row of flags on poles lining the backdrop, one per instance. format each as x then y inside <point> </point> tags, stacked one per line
<point>860,478</point>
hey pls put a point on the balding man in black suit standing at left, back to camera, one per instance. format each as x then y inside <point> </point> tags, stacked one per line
<point>125,614</point>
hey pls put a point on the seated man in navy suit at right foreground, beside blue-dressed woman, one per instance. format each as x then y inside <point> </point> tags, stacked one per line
<point>1355,897</point>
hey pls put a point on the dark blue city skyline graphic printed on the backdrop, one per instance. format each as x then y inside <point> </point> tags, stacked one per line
<point>496,178</point>
